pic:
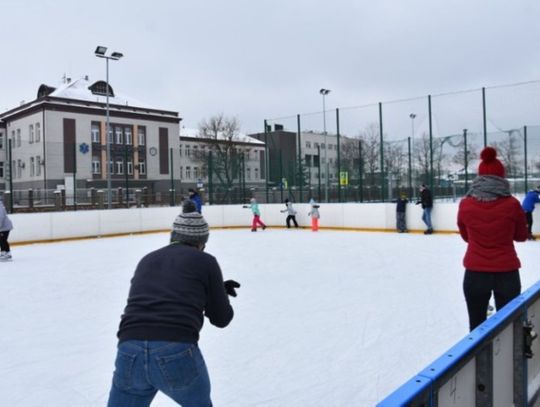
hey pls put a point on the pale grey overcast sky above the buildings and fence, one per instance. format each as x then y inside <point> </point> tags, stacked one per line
<point>261,59</point>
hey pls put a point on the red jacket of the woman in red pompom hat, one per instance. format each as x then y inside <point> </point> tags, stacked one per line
<point>490,229</point>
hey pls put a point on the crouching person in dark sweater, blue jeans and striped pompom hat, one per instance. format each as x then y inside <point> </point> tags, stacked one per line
<point>171,292</point>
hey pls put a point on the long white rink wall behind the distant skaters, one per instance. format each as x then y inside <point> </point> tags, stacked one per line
<point>377,216</point>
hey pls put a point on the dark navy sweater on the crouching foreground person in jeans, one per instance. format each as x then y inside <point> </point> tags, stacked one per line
<point>173,288</point>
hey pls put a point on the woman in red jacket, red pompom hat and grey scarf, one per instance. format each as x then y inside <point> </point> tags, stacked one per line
<point>490,219</point>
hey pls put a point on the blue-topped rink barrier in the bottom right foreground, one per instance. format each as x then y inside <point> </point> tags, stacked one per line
<point>485,368</point>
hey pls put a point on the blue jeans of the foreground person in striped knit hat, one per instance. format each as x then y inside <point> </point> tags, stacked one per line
<point>174,368</point>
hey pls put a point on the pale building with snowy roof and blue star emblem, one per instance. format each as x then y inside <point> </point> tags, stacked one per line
<point>58,141</point>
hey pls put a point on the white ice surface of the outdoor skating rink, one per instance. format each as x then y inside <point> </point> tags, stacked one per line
<point>321,319</point>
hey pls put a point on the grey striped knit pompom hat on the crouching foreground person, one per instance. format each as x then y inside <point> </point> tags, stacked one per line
<point>189,227</point>
